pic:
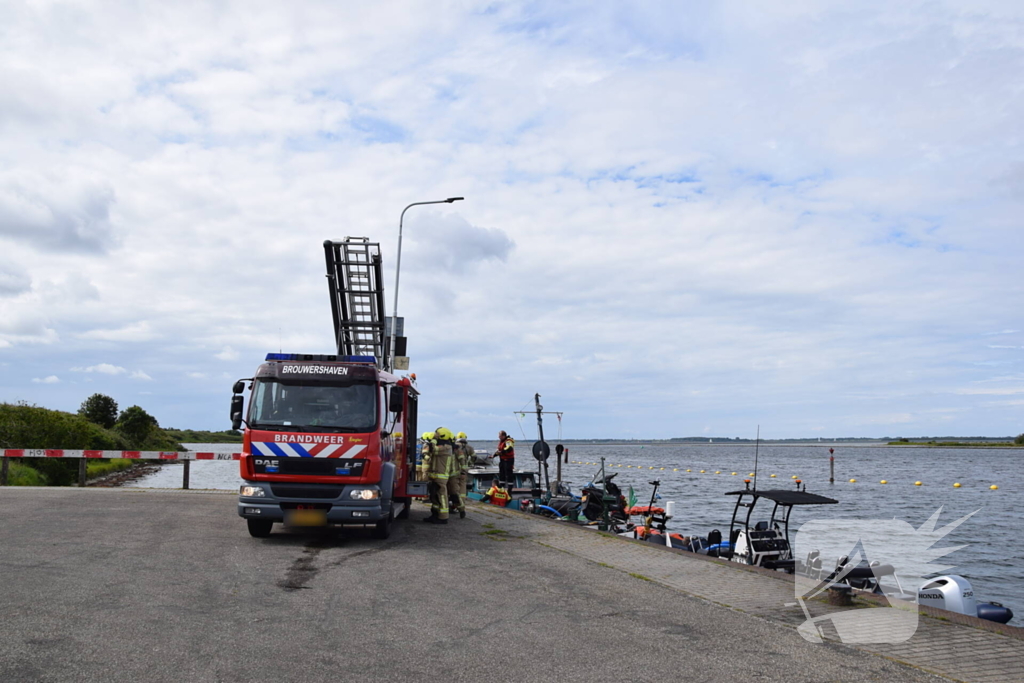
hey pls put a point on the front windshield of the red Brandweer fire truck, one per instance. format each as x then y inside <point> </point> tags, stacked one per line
<point>316,408</point>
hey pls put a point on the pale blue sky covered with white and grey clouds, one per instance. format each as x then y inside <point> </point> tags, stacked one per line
<point>681,219</point>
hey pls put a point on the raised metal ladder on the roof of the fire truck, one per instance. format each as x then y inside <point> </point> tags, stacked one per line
<point>356,282</point>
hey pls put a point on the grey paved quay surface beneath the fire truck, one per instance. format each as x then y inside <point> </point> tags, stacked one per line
<point>146,585</point>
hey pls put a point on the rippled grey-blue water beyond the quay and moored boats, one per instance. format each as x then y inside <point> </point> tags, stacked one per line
<point>993,561</point>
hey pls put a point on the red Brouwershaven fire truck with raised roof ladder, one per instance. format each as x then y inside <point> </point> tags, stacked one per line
<point>330,439</point>
